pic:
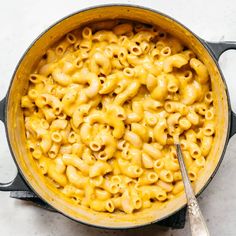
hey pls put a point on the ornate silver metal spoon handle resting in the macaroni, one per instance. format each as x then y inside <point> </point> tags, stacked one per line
<point>197,223</point>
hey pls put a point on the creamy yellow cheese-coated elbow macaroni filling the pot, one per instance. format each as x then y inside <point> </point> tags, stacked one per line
<point>104,108</point>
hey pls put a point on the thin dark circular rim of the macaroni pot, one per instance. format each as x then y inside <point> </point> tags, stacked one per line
<point>202,42</point>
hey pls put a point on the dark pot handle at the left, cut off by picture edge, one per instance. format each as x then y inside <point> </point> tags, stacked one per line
<point>18,184</point>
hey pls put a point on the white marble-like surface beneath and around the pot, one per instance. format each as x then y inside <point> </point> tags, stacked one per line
<point>22,21</point>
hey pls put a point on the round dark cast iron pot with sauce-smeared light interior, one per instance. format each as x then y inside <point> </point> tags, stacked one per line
<point>11,114</point>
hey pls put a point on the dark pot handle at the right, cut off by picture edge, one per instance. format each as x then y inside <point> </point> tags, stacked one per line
<point>217,48</point>
